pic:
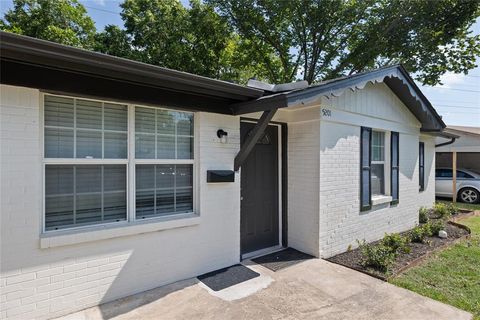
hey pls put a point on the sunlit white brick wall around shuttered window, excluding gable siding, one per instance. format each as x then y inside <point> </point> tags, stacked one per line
<point>341,221</point>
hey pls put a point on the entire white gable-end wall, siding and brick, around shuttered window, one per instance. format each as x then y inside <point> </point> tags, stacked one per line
<point>341,222</point>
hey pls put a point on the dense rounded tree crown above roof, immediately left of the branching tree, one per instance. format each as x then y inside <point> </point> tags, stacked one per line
<point>166,33</point>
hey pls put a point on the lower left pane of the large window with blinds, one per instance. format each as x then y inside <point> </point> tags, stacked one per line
<point>77,195</point>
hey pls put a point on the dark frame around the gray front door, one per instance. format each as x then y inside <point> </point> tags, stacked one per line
<point>284,178</point>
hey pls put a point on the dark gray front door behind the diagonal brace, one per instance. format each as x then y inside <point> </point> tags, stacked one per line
<point>259,191</point>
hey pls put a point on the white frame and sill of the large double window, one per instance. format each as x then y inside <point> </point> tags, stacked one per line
<point>131,223</point>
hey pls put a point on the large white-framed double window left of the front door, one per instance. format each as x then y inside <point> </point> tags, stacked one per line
<point>87,162</point>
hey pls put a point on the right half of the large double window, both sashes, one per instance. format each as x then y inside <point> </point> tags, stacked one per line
<point>164,179</point>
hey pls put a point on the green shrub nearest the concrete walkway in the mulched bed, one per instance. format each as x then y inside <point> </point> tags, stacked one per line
<point>377,256</point>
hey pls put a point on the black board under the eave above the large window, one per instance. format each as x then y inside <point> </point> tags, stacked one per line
<point>68,83</point>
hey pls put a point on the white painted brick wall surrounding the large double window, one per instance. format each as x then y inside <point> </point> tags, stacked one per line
<point>43,283</point>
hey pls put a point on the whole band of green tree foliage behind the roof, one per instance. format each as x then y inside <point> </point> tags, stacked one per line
<point>276,41</point>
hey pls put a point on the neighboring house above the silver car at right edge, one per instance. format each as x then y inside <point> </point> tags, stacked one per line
<point>467,146</point>
